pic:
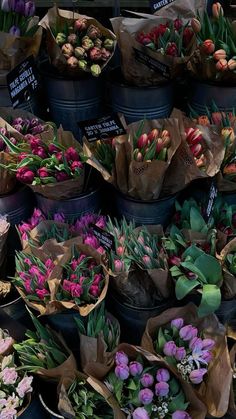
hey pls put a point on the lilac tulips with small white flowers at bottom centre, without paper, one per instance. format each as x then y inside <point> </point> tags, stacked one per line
<point>143,390</point>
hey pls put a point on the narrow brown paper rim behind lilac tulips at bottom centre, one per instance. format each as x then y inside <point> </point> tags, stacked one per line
<point>197,409</point>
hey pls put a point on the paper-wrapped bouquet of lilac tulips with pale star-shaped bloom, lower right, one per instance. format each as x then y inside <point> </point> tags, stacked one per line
<point>196,348</point>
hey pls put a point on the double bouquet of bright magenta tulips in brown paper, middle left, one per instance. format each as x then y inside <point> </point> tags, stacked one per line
<point>76,279</point>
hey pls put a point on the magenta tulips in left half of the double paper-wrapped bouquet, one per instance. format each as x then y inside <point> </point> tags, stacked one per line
<point>32,276</point>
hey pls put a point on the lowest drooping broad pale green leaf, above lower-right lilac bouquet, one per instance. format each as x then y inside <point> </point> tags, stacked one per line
<point>210,301</point>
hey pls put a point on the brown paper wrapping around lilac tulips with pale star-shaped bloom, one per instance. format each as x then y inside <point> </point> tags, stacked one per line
<point>214,392</point>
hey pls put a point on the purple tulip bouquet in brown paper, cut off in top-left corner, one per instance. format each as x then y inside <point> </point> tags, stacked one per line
<point>20,35</point>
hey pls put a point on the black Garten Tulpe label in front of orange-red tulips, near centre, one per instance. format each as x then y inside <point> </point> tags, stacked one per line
<point>108,126</point>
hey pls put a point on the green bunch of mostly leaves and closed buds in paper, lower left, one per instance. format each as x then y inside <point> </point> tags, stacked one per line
<point>53,360</point>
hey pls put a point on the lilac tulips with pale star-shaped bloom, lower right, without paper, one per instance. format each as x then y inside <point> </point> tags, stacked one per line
<point>182,346</point>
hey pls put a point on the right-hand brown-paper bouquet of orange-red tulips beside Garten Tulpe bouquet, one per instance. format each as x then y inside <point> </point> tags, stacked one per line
<point>200,154</point>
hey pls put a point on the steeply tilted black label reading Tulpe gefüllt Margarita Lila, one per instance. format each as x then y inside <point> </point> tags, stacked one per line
<point>22,81</point>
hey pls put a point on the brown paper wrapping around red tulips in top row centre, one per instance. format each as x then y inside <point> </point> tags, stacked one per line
<point>134,71</point>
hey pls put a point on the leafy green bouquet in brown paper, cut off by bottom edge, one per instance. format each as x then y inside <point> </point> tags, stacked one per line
<point>88,395</point>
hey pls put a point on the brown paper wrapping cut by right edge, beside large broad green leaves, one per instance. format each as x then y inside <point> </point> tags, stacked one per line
<point>228,288</point>
